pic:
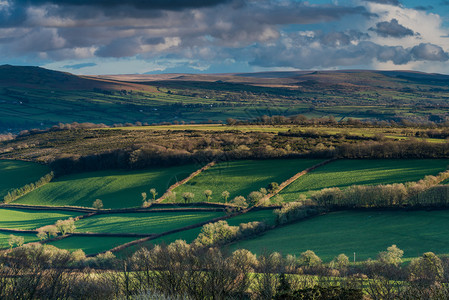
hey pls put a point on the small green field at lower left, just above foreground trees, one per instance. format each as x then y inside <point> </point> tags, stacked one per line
<point>91,245</point>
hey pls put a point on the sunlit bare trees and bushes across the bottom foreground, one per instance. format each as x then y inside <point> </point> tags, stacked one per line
<point>183,271</point>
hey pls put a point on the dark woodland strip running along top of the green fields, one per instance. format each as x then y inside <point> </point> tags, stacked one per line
<point>146,157</point>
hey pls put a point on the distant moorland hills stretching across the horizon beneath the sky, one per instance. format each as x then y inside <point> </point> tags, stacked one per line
<point>36,97</point>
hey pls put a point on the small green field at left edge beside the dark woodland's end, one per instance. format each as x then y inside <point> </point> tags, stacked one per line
<point>15,174</point>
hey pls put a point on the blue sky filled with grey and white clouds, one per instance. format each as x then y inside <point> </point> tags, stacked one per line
<point>224,36</point>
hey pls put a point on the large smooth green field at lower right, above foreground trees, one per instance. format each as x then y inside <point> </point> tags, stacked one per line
<point>365,233</point>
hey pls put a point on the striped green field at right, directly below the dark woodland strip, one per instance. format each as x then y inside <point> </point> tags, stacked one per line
<point>343,173</point>
